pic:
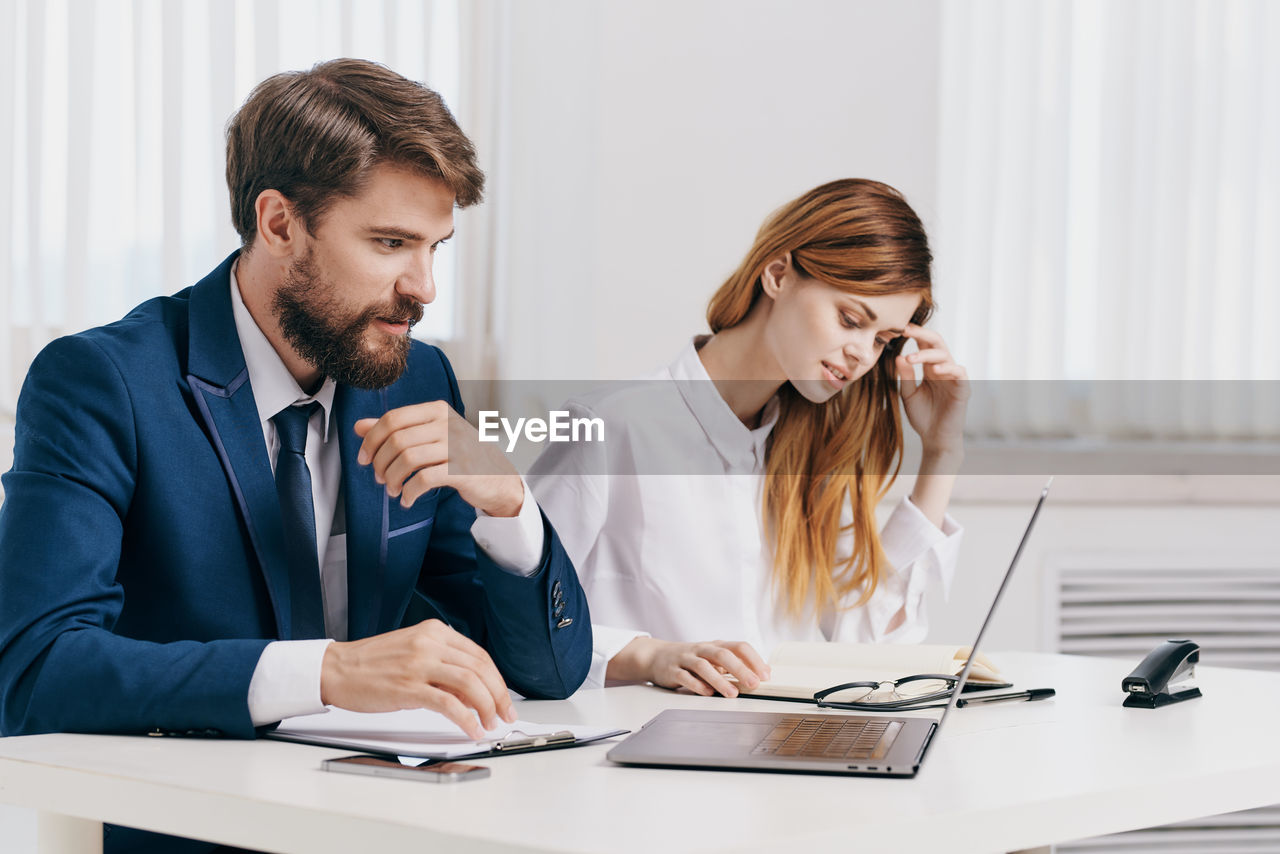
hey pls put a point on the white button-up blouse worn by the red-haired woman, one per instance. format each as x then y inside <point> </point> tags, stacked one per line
<point>664,523</point>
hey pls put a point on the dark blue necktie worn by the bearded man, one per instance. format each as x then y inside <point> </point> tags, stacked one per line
<point>298,509</point>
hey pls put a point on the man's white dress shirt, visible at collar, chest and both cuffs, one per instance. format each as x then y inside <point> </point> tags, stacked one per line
<point>287,678</point>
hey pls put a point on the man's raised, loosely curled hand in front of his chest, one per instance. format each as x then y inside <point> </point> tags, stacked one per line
<point>418,449</point>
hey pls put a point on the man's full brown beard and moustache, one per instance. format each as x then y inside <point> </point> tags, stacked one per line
<point>332,339</point>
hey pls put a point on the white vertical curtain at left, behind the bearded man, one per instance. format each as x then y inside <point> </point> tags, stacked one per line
<point>115,189</point>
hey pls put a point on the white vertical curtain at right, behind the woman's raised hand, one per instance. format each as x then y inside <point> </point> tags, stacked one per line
<point>1110,213</point>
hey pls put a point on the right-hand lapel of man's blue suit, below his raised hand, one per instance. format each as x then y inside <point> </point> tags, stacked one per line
<point>367,512</point>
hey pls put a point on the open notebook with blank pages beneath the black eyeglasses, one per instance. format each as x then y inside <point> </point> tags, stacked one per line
<point>799,670</point>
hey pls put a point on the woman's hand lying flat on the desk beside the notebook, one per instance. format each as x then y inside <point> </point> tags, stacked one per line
<point>703,668</point>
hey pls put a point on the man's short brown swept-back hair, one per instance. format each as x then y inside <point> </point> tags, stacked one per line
<point>316,135</point>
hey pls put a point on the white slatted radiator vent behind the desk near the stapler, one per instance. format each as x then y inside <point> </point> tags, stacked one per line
<point>1122,606</point>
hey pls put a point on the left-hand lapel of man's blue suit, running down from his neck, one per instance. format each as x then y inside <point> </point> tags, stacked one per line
<point>220,385</point>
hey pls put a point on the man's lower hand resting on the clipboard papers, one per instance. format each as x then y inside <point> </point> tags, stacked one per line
<point>426,666</point>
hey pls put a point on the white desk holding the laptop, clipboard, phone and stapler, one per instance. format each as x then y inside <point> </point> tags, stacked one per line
<point>1000,778</point>
